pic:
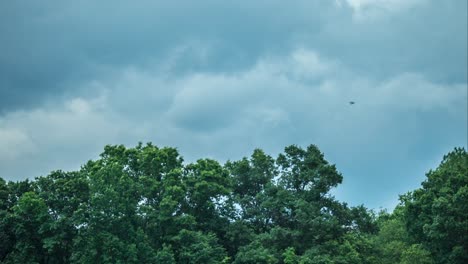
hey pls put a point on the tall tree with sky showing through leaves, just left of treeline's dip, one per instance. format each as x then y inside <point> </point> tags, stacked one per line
<point>305,180</point>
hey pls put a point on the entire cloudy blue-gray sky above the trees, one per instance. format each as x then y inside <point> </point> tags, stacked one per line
<point>221,78</point>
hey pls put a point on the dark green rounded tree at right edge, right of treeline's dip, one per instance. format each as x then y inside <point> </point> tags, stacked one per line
<point>437,214</point>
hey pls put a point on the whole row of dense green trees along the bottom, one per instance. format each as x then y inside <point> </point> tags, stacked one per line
<point>144,205</point>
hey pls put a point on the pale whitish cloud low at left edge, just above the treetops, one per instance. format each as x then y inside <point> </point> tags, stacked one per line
<point>32,143</point>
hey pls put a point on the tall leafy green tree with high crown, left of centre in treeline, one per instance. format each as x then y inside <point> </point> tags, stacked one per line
<point>109,223</point>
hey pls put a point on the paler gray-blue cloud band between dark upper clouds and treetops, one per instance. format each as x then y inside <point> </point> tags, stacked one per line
<point>299,98</point>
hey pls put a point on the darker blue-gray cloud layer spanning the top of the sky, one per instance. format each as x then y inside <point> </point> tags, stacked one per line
<point>51,48</point>
